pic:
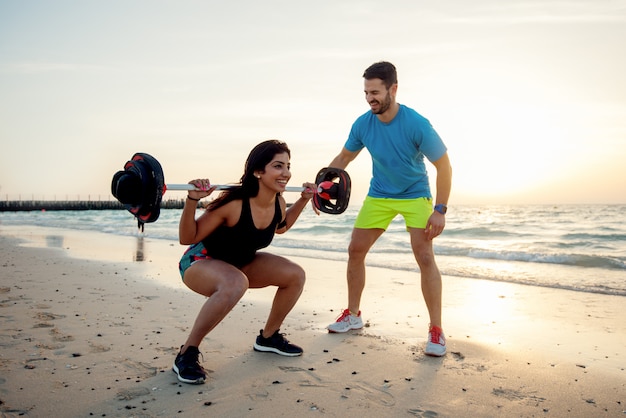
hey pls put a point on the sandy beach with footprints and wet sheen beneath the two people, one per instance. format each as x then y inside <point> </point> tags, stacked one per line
<point>91,323</point>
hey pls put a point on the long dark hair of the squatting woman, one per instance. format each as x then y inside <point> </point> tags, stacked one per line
<point>260,156</point>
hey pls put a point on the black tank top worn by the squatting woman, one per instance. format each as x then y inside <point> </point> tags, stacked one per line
<point>238,244</point>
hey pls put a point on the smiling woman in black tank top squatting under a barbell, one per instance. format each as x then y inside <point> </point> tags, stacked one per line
<point>222,261</point>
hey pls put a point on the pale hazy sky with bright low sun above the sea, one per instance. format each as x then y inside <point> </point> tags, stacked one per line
<point>528,95</point>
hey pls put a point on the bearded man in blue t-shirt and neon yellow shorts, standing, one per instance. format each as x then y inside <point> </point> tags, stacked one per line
<point>398,139</point>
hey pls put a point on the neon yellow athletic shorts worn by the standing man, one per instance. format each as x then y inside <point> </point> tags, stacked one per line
<point>379,212</point>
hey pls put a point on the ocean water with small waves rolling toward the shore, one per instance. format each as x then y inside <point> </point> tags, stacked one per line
<point>575,247</point>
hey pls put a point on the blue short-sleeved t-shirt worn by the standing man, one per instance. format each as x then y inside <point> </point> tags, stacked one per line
<point>397,149</point>
